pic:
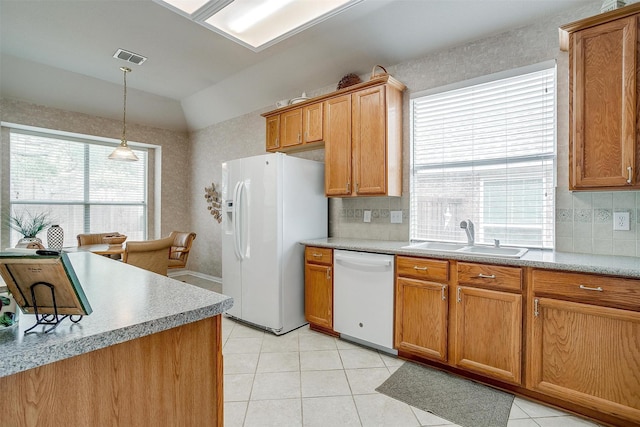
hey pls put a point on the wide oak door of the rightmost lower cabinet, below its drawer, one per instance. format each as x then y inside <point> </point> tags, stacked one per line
<point>588,355</point>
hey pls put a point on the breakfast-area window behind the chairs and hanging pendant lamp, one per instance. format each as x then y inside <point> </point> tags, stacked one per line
<point>73,181</point>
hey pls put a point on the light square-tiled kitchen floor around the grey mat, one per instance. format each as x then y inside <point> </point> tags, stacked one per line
<point>305,378</point>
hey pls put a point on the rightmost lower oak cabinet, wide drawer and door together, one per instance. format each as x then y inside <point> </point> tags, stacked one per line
<point>584,341</point>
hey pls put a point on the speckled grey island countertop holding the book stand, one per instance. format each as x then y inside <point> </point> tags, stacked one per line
<point>127,302</point>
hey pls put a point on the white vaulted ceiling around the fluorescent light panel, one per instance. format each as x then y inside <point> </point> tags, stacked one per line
<point>59,53</point>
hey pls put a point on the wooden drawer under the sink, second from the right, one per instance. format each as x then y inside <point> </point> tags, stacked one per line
<point>490,276</point>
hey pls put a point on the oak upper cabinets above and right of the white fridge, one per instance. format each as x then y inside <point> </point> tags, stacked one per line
<point>361,129</point>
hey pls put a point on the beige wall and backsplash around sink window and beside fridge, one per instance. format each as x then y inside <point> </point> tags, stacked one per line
<point>583,220</point>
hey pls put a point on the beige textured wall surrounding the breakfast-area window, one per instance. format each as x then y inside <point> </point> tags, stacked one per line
<point>175,167</point>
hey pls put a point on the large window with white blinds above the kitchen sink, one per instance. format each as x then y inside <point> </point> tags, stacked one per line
<point>486,152</point>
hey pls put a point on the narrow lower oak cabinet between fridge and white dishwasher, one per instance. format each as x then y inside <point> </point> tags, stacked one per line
<point>318,287</point>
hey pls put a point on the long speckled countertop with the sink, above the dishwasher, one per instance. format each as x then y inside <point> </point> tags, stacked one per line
<point>586,263</point>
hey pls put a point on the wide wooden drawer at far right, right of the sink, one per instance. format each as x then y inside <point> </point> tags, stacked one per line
<point>587,288</point>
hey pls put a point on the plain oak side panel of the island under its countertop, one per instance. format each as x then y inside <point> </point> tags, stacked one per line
<point>172,377</point>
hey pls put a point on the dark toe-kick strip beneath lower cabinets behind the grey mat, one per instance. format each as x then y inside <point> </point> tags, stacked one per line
<point>578,410</point>
